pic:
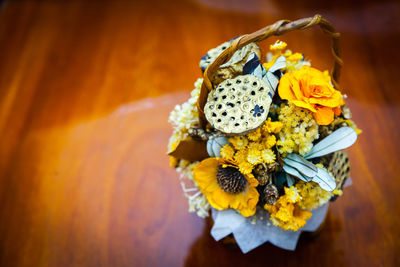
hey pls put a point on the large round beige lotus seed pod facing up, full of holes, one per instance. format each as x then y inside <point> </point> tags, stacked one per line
<point>239,105</point>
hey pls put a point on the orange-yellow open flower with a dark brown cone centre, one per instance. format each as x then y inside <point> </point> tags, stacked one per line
<point>226,187</point>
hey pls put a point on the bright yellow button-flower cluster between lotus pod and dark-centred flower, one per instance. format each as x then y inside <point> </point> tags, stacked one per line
<point>253,148</point>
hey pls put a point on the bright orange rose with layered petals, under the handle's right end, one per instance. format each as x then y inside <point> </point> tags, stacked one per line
<point>311,89</point>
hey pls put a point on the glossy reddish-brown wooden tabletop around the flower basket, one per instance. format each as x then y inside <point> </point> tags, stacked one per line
<point>85,92</point>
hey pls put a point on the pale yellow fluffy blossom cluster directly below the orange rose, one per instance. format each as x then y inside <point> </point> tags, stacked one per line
<point>299,131</point>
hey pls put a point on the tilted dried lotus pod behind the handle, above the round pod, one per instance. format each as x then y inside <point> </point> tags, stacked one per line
<point>234,66</point>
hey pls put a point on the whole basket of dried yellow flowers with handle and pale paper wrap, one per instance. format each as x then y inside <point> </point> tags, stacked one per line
<point>259,144</point>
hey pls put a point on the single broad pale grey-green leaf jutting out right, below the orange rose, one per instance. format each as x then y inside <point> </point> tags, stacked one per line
<point>338,140</point>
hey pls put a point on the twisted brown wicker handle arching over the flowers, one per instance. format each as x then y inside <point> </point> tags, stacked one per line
<point>278,28</point>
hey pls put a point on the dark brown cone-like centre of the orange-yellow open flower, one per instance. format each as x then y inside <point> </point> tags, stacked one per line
<point>231,180</point>
